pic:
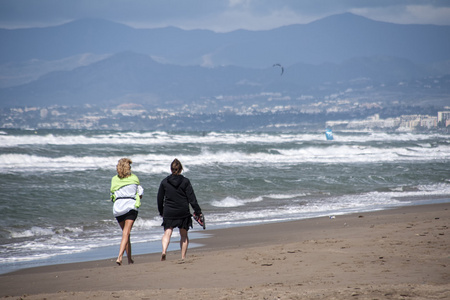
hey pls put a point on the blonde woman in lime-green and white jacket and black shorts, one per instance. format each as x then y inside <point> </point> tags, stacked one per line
<point>126,193</point>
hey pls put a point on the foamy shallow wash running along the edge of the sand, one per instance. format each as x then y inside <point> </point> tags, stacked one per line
<point>49,242</point>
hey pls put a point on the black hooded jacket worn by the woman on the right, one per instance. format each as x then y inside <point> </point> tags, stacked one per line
<point>174,196</point>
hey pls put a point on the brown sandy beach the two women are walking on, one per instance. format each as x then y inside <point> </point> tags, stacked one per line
<point>402,253</point>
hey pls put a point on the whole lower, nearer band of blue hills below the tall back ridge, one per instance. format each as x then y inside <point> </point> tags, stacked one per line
<point>129,75</point>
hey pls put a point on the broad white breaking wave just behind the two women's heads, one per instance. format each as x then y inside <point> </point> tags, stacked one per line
<point>159,163</point>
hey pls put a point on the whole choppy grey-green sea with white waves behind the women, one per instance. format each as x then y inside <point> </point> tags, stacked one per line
<point>54,189</point>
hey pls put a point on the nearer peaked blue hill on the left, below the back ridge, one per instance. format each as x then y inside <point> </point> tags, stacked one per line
<point>124,75</point>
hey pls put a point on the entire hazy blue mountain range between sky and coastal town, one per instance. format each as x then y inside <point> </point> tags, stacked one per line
<point>105,63</point>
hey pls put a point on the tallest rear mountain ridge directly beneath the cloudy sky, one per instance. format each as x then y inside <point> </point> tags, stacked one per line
<point>332,39</point>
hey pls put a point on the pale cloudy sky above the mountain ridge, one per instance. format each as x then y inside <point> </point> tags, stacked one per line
<point>217,15</point>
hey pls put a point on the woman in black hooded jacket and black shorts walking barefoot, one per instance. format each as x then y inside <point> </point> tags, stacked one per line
<point>175,194</point>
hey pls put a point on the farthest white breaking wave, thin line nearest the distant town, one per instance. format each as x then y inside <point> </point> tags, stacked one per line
<point>165,138</point>
